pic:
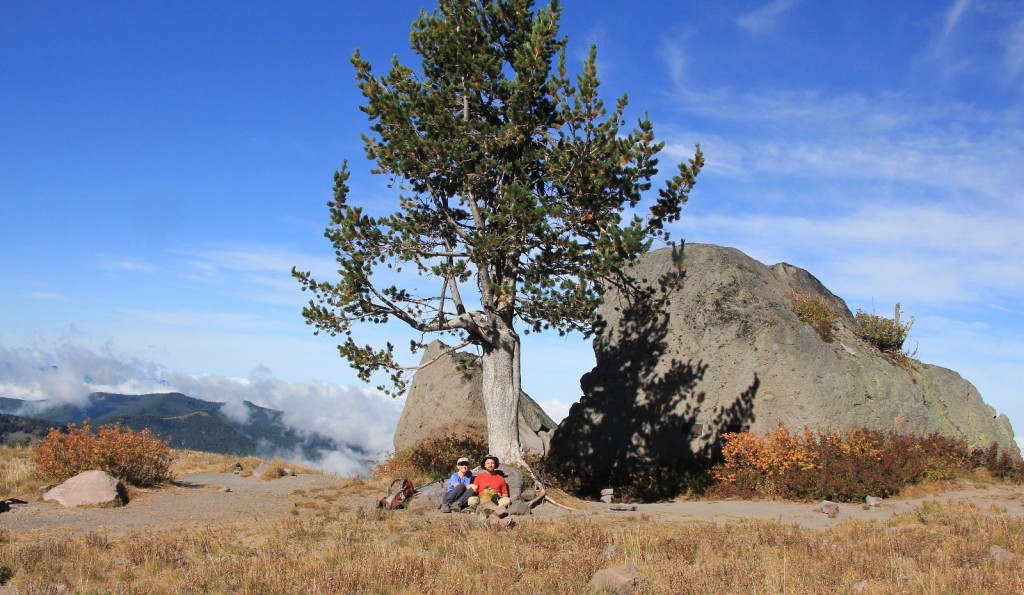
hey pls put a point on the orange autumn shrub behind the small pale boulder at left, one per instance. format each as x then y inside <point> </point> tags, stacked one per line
<point>137,458</point>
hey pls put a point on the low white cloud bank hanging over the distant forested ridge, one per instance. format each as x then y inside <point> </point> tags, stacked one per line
<point>361,418</point>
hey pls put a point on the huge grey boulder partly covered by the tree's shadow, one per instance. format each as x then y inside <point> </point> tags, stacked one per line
<point>730,355</point>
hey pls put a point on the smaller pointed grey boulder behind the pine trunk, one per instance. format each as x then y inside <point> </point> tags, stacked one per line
<point>444,399</point>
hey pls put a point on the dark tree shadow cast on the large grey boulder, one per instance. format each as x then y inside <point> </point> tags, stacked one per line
<point>644,424</point>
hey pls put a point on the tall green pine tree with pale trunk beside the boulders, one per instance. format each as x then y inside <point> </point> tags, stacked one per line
<point>515,186</point>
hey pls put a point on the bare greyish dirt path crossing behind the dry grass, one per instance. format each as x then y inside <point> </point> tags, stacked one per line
<point>201,500</point>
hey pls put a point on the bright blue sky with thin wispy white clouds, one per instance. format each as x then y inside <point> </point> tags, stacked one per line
<point>164,166</point>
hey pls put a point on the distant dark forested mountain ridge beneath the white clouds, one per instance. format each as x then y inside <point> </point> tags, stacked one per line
<point>186,421</point>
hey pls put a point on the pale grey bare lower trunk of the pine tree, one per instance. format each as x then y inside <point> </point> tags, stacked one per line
<point>501,400</point>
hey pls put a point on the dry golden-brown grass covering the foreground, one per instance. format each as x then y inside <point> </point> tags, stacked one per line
<point>328,546</point>
